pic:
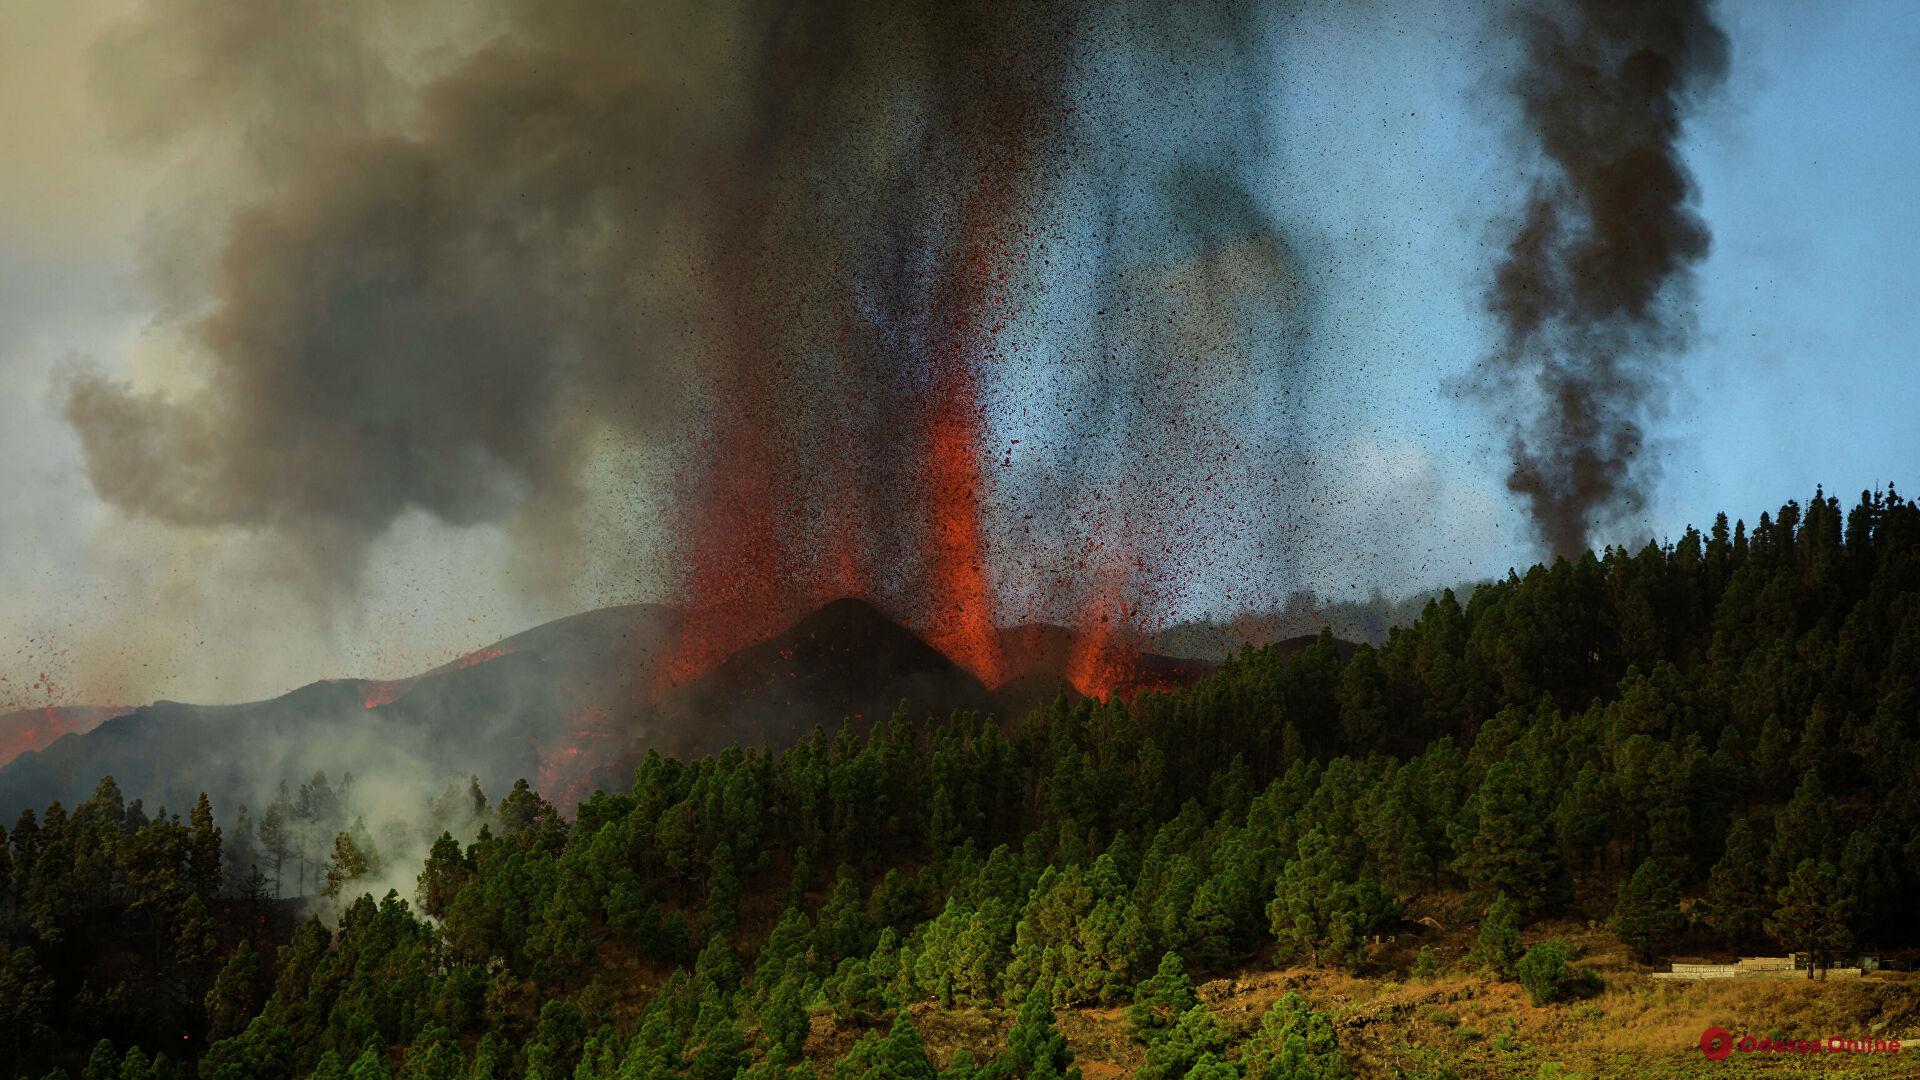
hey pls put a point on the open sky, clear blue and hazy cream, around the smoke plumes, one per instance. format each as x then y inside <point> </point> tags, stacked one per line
<point>1387,170</point>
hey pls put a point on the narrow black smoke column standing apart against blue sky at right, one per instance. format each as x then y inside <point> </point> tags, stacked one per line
<point>1591,282</point>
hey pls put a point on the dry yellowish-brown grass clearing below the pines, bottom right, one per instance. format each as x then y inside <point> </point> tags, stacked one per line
<point>1468,1027</point>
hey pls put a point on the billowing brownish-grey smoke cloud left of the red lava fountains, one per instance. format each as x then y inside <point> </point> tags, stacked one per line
<point>423,297</point>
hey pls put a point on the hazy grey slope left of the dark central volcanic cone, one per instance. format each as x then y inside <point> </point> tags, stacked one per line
<point>502,712</point>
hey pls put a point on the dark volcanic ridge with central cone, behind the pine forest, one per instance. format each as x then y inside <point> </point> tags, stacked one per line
<point>571,704</point>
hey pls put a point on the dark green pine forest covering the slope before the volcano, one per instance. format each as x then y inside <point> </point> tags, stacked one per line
<point>1723,727</point>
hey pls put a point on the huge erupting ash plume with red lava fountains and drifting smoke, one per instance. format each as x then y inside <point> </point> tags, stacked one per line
<point>796,247</point>
